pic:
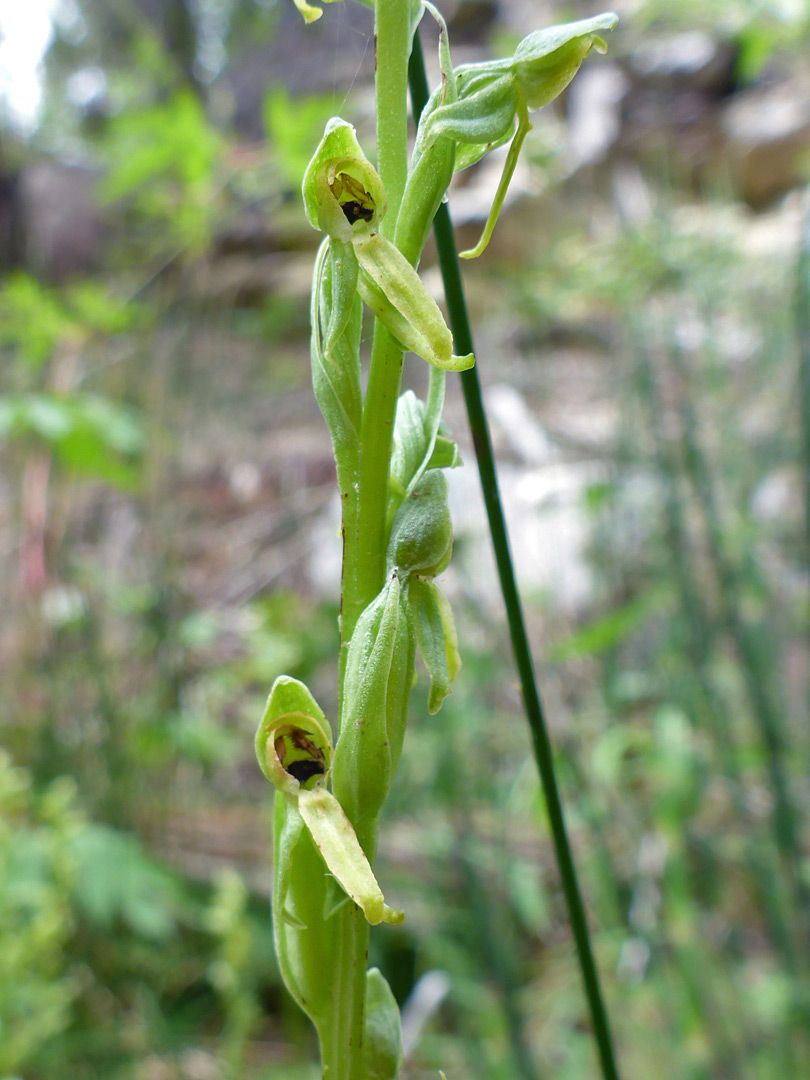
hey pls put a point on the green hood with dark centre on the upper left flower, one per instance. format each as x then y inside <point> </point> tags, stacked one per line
<point>341,173</point>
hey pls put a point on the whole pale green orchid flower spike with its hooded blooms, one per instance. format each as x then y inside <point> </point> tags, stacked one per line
<point>390,457</point>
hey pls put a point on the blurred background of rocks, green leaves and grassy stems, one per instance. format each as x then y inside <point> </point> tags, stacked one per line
<point>169,536</point>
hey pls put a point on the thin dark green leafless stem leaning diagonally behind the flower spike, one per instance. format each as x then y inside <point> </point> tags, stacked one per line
<point>463,339</point>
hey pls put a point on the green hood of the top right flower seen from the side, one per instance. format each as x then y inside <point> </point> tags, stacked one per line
<point>547,61</point>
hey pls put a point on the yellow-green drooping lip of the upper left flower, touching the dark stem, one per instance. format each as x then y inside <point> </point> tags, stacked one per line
<point>397,295</point>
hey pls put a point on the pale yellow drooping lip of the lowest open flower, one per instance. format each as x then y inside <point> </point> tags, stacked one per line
<point>341,850</point>
